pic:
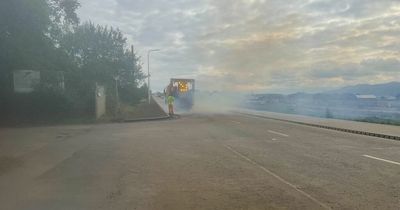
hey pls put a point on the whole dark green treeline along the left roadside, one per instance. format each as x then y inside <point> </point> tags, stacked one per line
<point>47,36</point>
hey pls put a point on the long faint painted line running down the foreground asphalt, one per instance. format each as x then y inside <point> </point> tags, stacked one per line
<point>278,177</point>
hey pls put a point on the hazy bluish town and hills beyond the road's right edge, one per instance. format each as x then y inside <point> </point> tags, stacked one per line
<point>382,105</point>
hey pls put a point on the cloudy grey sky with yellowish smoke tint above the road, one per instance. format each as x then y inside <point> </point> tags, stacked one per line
<point>259,46</point>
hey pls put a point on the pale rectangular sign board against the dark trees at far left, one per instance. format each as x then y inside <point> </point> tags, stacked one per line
<point>26,80</point>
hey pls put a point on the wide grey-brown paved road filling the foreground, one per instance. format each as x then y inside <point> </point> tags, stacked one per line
<point>197,162</point>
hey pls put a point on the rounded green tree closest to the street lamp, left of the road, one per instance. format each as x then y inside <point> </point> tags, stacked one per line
<point>101,55</point>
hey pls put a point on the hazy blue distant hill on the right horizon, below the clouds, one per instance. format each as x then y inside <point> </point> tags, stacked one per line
<point>387,89</point>
